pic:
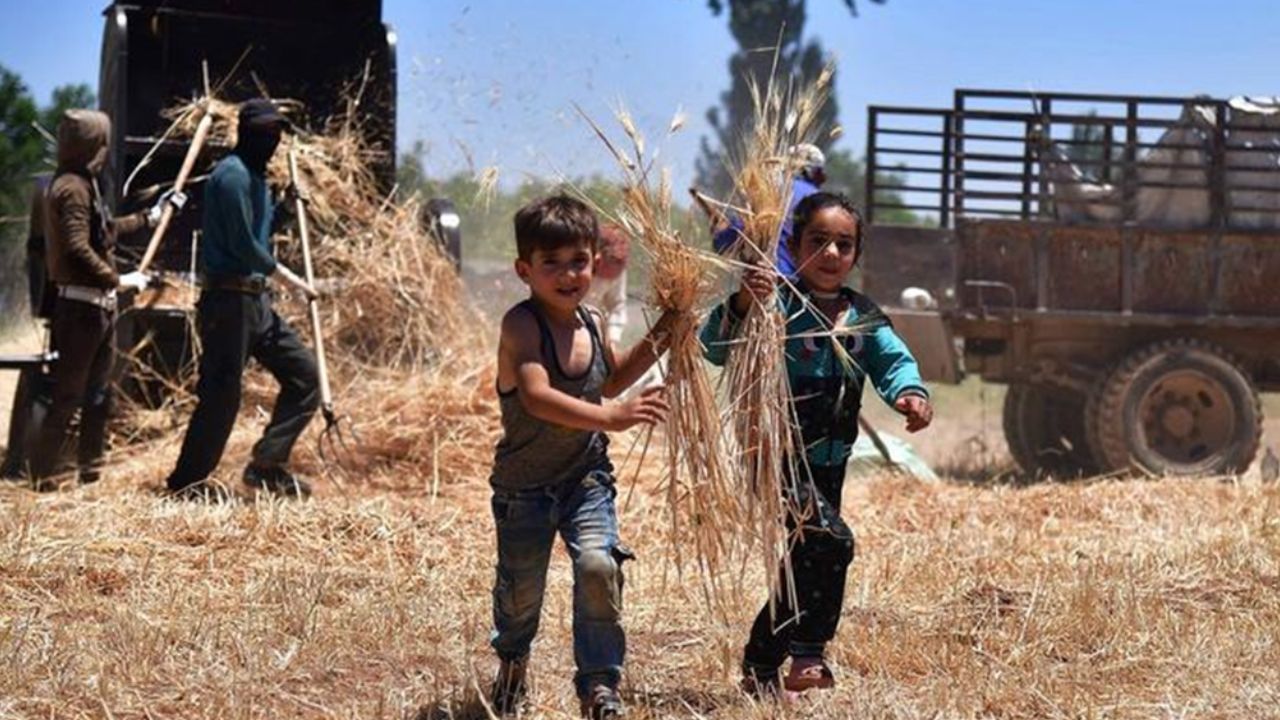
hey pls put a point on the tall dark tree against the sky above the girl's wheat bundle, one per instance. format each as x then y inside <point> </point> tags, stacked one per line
<point>758,26</point>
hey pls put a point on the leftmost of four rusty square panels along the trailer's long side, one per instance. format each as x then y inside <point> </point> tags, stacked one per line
<point>1002,253</point>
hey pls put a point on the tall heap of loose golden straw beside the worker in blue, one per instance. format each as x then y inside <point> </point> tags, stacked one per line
<point>406,362</point>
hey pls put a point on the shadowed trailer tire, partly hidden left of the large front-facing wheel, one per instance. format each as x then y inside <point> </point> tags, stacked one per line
<point>1045,430</point>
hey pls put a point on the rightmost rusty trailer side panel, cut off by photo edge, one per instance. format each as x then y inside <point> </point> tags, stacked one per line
<point>1250,281</point>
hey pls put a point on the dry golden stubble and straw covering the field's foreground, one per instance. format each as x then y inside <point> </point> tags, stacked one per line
<point>1108,600</point>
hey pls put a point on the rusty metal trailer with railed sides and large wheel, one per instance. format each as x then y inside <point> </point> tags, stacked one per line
<point>1126,344</point>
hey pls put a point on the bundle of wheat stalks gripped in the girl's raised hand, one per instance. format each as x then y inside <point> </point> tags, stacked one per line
<point>756,377</point>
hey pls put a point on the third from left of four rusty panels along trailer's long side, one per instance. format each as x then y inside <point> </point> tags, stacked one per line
<point>1172,272</point>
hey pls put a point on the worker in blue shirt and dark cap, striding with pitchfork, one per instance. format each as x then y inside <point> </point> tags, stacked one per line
<point>237,322</point>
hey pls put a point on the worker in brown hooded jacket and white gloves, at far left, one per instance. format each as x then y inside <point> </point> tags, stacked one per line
<point>80,244</point>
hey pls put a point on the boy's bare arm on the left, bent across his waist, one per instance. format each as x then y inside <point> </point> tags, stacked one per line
<point>522,348</point>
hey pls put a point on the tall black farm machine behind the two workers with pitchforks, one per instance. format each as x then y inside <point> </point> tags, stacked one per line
<point>154,54</point>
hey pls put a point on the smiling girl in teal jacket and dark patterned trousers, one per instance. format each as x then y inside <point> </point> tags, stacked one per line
<point>826,389</point>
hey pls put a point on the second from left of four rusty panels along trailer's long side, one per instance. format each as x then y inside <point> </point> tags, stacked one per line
<point>1085,268</point>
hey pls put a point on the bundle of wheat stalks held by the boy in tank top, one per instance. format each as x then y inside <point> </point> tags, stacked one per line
<point>703,503</point>
